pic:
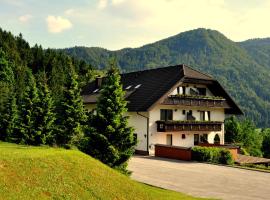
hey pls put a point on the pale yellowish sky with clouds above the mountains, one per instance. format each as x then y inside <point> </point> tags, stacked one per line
<point>116,24</point>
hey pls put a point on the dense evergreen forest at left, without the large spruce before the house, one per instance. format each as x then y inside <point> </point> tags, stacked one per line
<point>40,100</point>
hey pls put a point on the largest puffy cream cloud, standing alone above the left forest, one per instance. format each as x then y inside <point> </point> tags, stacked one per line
<point>57,24</point>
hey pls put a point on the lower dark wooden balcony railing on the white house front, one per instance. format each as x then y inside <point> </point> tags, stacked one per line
<point>172,126</point>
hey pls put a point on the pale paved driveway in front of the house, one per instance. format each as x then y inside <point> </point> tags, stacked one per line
<point>202,180</point>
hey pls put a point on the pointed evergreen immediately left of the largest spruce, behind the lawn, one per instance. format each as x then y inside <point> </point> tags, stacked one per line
<point>73,114</point>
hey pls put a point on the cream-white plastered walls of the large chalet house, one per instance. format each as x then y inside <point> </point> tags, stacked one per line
<point>146,127</point>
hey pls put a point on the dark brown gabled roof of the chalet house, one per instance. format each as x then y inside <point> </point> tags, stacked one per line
<point>153,84</point>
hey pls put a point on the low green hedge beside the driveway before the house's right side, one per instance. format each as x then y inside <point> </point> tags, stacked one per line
<point>212,155</point>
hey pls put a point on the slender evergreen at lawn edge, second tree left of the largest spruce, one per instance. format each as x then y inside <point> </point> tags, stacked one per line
<point>45,113</point>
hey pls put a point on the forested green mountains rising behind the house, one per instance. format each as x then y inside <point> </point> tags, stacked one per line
<point>243,68</point>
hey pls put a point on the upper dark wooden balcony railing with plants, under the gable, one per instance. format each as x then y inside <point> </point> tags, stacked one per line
<point>196,100</point>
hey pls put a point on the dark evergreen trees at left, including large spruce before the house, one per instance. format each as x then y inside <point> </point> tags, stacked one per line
<point>41,104</point>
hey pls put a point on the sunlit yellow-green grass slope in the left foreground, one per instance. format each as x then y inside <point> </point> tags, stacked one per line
<point>54,173</point>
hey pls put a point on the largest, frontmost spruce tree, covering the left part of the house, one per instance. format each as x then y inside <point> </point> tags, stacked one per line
<point>109,138</point>
